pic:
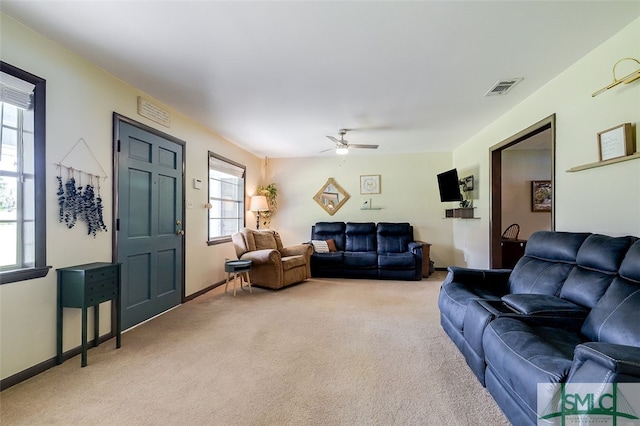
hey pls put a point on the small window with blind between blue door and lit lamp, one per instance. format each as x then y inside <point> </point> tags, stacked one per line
<point>226,197</point>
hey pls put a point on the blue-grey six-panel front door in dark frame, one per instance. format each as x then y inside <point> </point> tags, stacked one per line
<point>150,232</point>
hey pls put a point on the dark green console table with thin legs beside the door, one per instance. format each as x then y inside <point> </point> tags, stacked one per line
<point>83,286</point>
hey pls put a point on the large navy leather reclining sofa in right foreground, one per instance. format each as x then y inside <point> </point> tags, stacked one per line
<point>566,313</point>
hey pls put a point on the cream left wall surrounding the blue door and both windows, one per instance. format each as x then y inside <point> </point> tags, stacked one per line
<point>80,102</point>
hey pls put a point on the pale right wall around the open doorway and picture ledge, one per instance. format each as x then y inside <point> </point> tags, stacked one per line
<point>604,199</point>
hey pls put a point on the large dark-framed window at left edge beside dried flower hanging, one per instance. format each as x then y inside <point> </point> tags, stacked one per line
<point>22,175</point>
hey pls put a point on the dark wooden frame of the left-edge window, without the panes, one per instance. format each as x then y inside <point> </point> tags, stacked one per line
<point>40,268</point>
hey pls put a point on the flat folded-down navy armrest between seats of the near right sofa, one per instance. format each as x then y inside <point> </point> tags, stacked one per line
<point>544,305</point>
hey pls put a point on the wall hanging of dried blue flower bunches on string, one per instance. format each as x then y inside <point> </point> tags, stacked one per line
<point>80,200</point>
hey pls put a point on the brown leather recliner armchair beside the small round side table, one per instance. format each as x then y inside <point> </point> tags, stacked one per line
<point>272,265</point>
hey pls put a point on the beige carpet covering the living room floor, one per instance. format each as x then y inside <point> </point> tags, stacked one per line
<point>325,352</point>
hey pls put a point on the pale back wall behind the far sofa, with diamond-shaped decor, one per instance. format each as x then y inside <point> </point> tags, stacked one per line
<point>409,193</point>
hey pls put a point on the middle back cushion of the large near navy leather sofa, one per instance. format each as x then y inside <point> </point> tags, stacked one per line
<point>597,264</point>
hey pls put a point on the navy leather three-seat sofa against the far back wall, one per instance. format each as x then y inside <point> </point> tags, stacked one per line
<point>367,250</point>
